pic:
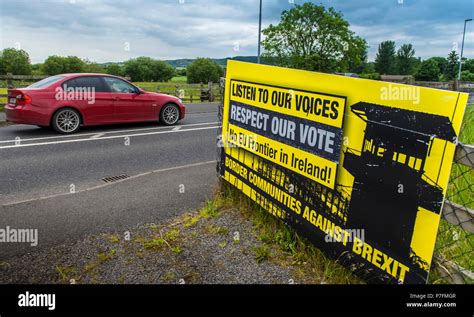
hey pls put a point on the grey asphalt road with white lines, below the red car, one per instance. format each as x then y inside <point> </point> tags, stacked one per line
<point>55,184</point>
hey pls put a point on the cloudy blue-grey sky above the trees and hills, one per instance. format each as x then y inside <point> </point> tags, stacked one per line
<point>117,30</point>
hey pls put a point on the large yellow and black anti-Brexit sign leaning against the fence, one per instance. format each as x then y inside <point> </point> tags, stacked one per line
<point>359,167</point>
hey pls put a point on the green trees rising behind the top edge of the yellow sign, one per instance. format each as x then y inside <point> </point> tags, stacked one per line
<point>314,38</point>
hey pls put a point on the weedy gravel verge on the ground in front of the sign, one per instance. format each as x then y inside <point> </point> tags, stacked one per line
<point>194,248</point>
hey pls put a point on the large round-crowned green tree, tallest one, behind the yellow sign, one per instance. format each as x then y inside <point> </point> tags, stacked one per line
<point>310,37</point>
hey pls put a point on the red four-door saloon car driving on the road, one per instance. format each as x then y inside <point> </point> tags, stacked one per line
<point>65,102</point>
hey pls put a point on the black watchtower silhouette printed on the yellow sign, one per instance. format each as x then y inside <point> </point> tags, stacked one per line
<point>390,184</point>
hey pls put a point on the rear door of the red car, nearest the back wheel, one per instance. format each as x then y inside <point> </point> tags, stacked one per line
<point>92,97</point>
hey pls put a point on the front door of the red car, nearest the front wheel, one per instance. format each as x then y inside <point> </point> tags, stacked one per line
<point>130,104</point>
